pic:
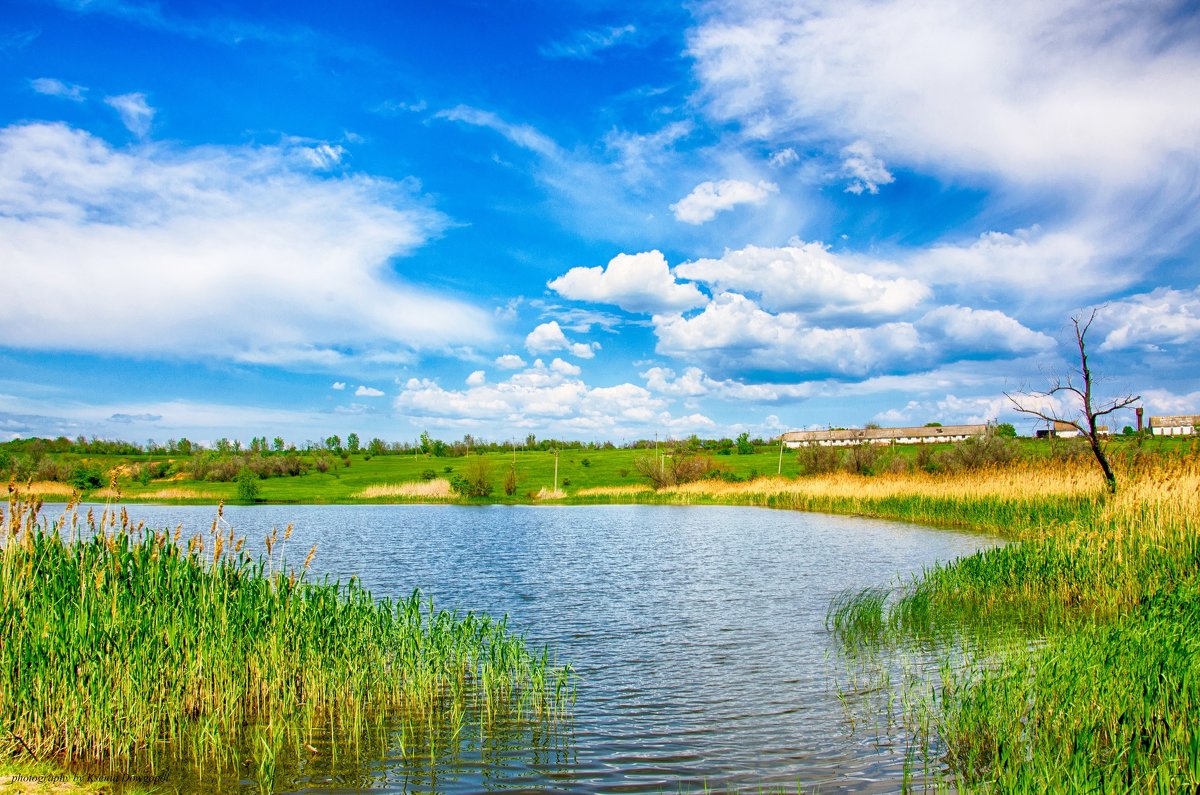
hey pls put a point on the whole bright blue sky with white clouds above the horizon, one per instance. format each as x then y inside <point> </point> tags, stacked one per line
<point>589,220</point>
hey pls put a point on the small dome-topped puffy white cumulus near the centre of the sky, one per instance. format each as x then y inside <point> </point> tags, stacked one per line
<point>639,283</point>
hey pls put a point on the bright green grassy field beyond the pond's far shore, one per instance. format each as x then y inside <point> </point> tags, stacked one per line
<point>579,470</point>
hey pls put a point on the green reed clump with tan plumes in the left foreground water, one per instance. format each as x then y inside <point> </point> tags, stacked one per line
<point>127,649</point>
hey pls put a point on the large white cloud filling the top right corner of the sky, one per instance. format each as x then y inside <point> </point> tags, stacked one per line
<point>1031,91</point>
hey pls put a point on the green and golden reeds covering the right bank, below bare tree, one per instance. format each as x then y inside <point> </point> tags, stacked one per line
<point>1071,656</point>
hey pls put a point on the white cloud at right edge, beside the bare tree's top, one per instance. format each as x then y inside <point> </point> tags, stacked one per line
<point>1153,320</point>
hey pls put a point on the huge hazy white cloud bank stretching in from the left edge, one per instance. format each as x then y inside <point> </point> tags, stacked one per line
<point>231,252</point>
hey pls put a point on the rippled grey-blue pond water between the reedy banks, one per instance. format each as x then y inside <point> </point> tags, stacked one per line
<point>698,633</point>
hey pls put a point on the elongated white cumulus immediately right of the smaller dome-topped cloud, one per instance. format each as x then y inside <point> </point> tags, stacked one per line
<point>808,278</point>
